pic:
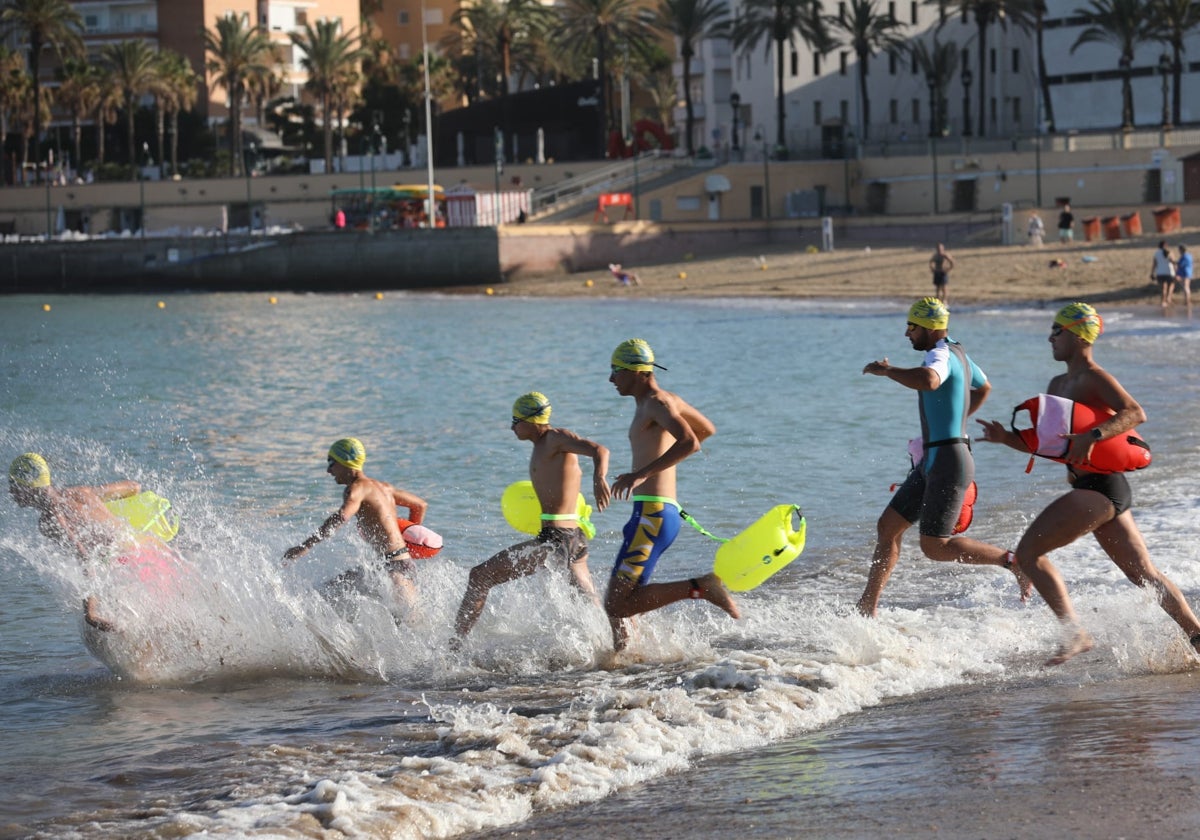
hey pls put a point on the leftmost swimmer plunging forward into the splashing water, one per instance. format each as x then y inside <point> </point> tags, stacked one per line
<point>77,519</point>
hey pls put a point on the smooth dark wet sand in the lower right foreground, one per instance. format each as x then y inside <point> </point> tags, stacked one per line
<point>1042,760</point>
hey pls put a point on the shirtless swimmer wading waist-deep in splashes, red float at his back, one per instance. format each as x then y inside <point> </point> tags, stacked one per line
<point>374,503</point>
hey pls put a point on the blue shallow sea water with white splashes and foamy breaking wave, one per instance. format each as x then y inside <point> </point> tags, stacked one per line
<point>249,705</point>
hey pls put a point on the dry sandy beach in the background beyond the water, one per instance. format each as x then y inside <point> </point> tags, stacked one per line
<point>1093,272</point>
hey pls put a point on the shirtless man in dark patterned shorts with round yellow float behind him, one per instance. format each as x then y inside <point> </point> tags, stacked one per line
<point>556,476</point>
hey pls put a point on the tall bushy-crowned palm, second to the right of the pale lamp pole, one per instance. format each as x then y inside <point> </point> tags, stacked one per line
<point>596,28</point>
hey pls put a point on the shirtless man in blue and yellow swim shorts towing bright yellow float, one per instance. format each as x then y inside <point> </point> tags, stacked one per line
<point>665,431</point>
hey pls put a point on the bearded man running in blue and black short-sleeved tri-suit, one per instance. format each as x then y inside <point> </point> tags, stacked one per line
<point>951,388</point>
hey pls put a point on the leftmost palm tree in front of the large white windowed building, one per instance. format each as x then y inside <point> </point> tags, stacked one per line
<point>781,22</point>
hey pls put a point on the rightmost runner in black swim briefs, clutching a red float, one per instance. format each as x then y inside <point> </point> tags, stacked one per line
<point>1099,503</point>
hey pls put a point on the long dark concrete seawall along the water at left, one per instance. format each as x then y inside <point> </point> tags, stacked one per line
<point>346,261</point>
